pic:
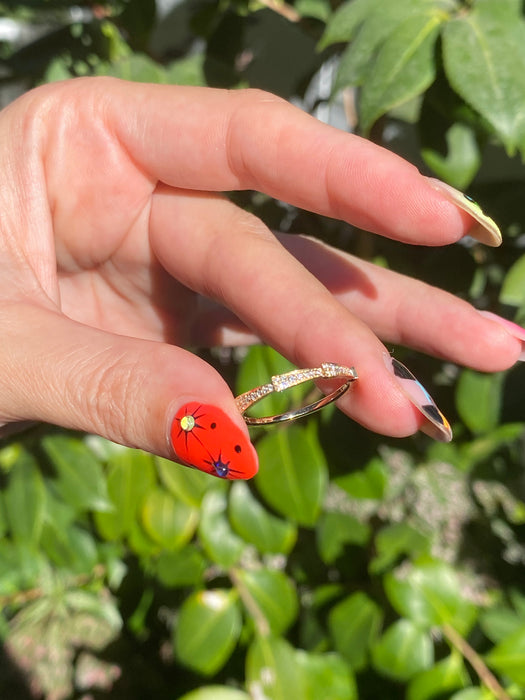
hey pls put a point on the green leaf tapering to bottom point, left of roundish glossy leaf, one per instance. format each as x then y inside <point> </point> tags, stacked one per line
<point>354,624</point>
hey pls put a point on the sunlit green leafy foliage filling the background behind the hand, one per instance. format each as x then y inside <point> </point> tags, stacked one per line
<point>353,566</point>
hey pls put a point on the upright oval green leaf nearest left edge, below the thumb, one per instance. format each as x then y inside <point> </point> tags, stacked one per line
<point>25,500</point>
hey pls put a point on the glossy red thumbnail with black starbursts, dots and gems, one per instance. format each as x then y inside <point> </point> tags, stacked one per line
<point>205,438</point>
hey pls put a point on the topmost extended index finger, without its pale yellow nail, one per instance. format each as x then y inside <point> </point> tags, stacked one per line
<point>217,140</point>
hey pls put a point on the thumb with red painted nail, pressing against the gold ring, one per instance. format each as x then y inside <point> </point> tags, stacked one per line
<point>139,393</point>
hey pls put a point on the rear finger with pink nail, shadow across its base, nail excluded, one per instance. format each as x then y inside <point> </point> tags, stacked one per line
<point>406,311</point>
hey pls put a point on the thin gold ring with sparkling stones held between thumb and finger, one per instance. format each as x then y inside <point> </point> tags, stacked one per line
<point>281,382</point>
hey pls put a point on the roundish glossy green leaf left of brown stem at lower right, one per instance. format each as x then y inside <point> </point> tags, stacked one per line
<point>403,650</point>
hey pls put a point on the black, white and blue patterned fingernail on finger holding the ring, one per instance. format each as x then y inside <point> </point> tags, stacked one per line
<point>436,426</point>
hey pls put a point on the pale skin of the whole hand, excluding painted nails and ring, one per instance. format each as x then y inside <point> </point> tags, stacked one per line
<point>112,226</point>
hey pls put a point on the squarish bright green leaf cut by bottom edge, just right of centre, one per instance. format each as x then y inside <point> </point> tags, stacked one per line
<point>326,676</point>
